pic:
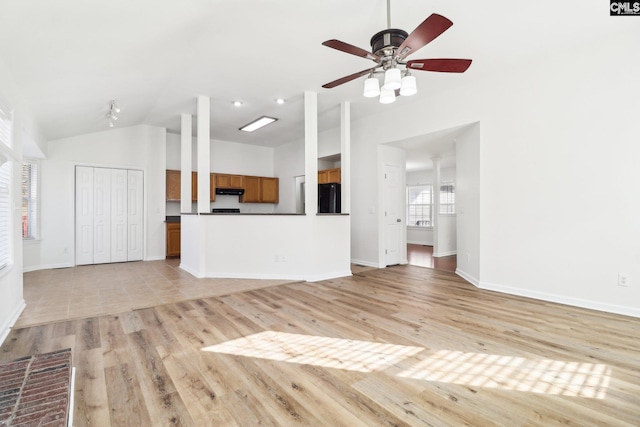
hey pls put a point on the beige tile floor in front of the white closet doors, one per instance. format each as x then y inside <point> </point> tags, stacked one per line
<point>91,290</point>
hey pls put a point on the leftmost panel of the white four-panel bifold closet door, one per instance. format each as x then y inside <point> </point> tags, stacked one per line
<point>84,215</point>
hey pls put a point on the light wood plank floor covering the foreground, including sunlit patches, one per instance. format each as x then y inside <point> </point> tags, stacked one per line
<point>402,346</point>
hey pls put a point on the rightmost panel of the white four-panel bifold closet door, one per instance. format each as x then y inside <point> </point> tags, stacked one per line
<point>135,218</point>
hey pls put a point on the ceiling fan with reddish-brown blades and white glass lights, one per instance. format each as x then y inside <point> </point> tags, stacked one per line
<point>389,49</point>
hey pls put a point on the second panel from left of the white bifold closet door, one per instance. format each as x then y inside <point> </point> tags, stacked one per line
<point>101,215</point>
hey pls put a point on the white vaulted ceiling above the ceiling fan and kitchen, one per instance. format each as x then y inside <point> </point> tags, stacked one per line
<point>70,57</point>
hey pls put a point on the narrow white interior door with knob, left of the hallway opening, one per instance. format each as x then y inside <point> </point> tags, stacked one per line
<point>393,214</point>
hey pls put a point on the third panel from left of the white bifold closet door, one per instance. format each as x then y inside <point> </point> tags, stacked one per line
<point>119,215</point>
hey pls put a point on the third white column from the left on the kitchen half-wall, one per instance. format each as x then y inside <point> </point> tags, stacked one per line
<point>311,151</point>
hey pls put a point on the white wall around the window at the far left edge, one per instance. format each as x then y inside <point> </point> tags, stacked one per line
<point>26,133</point>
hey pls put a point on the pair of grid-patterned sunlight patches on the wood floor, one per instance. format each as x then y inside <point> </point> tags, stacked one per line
<point>546,376</point>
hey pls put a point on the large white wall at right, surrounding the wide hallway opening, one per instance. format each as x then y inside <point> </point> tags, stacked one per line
<point>544,129</point>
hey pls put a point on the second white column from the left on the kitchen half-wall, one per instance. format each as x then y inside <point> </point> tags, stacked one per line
<point>204,152</point>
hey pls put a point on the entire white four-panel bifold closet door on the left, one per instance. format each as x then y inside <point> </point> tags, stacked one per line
<point>109,215</point>
